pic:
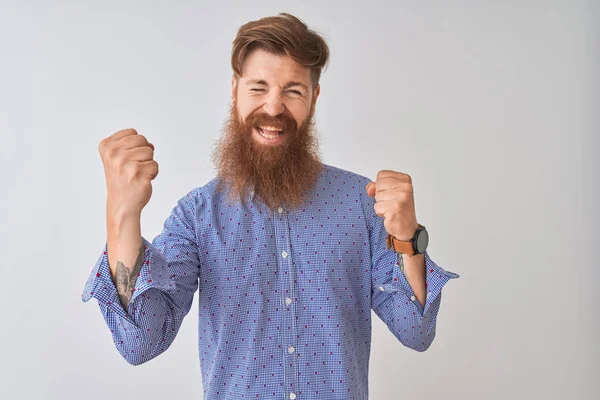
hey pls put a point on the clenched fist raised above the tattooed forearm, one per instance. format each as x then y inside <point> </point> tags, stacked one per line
<point>129,167</point>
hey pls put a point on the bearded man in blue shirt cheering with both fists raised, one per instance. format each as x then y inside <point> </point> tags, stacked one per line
<point>289,254</point>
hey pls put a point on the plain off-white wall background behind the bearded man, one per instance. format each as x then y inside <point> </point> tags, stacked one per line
<point>491,107</point>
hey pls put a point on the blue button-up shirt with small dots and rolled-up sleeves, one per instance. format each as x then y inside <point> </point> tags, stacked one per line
<point>285,296</point>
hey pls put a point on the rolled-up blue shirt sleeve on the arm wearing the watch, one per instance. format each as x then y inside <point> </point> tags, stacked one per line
<point>392,297</point>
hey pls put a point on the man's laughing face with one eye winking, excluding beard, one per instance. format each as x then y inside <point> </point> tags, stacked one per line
<point>275,87</point>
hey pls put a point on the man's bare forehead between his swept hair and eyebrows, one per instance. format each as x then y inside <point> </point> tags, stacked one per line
<point>275,69</point>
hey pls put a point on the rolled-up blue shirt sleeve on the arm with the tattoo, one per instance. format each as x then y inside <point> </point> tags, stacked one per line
<point>163,292</point>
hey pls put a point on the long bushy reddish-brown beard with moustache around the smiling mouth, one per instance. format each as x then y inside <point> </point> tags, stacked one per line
<point>281,174</point>
